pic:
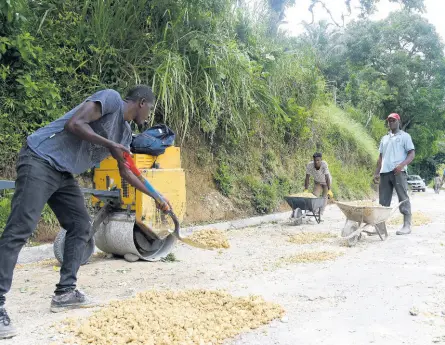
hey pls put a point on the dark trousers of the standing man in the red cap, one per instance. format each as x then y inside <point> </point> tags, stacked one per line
<point>389,181</point>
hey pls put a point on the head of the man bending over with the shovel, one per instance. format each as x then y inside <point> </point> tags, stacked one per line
<point>140,100</point>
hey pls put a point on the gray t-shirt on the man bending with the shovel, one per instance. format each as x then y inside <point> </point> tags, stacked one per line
<point>68,153</point>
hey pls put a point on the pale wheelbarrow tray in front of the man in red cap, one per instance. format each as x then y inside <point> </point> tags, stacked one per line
<point>371,215</point>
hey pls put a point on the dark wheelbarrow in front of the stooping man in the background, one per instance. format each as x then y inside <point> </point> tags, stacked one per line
<point>305,207</point>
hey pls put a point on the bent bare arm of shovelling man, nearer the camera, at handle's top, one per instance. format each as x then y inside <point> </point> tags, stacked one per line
<point>78,125</point>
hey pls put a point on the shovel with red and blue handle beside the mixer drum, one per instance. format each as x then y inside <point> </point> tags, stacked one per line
<point>129,163</point>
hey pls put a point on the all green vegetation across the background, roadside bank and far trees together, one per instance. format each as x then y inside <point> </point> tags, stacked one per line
<point>226,73</point>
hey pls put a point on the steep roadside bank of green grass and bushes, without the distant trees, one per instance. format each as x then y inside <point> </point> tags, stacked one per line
<point>258,103</point>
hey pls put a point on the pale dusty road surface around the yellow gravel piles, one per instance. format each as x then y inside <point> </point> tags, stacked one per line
<point>365,296</point>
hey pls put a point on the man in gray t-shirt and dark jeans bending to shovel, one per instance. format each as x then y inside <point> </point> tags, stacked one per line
<point>72,144</point>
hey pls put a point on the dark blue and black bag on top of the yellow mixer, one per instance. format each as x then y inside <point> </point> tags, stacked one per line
<point>153,141</point>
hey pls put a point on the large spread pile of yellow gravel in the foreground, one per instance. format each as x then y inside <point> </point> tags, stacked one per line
<point>194,317</point>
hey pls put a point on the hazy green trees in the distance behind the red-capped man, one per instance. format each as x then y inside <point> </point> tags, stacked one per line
<point>392,65</point>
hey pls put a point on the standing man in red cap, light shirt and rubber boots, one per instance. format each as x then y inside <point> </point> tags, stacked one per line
<point>396,152</point>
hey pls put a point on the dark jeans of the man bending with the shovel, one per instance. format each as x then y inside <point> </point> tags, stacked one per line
<point>37,184</point>
